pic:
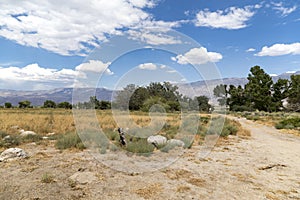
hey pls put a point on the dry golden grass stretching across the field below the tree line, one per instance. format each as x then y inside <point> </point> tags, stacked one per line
<point>61,121</point>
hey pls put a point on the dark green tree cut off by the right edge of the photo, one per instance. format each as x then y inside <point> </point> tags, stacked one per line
<point>294,93</point>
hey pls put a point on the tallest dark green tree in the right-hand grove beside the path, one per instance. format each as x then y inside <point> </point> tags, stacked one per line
<point>258,89</point>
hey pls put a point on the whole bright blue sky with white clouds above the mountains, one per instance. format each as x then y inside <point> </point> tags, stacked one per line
<point>112,43</point>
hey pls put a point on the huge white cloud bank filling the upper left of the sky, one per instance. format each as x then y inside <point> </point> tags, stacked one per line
<point>69,27</point>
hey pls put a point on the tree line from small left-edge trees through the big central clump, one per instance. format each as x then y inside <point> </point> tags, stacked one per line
<point>136,98</point>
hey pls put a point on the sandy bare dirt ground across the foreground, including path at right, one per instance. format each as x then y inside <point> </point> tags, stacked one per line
<point>265,166</point>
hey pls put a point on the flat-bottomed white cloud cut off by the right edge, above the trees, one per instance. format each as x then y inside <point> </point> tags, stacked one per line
<point>280,49</point>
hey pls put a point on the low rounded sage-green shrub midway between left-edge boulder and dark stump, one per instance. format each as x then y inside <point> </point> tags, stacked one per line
<point>69,140</point>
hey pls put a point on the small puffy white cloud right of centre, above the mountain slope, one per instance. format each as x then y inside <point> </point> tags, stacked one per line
<point>197,56</point>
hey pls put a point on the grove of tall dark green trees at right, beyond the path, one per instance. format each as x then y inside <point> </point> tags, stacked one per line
<point>260,93</point>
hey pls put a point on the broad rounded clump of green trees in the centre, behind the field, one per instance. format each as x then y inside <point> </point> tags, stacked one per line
<point>165,94</point>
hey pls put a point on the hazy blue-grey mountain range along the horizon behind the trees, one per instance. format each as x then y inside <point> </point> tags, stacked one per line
<point>37,98</point>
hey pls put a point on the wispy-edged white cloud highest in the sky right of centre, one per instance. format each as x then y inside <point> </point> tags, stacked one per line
<point>231,18</point>
